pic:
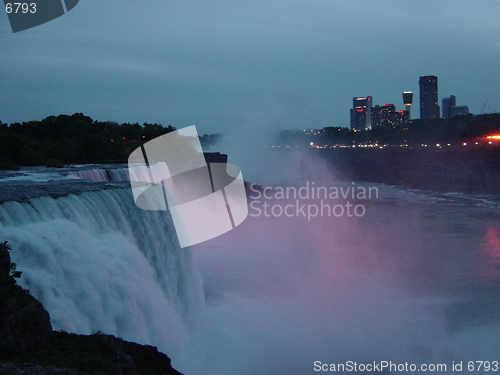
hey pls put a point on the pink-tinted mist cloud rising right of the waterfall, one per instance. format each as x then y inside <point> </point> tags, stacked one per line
<point>284,292</point>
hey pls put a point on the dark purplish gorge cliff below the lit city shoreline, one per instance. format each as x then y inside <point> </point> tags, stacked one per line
<point>474,170</point>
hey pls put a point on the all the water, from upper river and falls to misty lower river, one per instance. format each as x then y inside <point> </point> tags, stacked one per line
<point>408,276</point>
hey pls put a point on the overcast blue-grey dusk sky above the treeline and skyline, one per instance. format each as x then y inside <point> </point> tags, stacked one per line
<point>221,64</point>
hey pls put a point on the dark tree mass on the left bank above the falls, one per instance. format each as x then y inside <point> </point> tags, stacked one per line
<point>63,139</point>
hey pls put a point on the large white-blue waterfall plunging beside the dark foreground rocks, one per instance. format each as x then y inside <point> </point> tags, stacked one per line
<point>97,262</point>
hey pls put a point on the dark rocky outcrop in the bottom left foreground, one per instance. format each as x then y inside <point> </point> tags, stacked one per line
<point>28,345</point>
